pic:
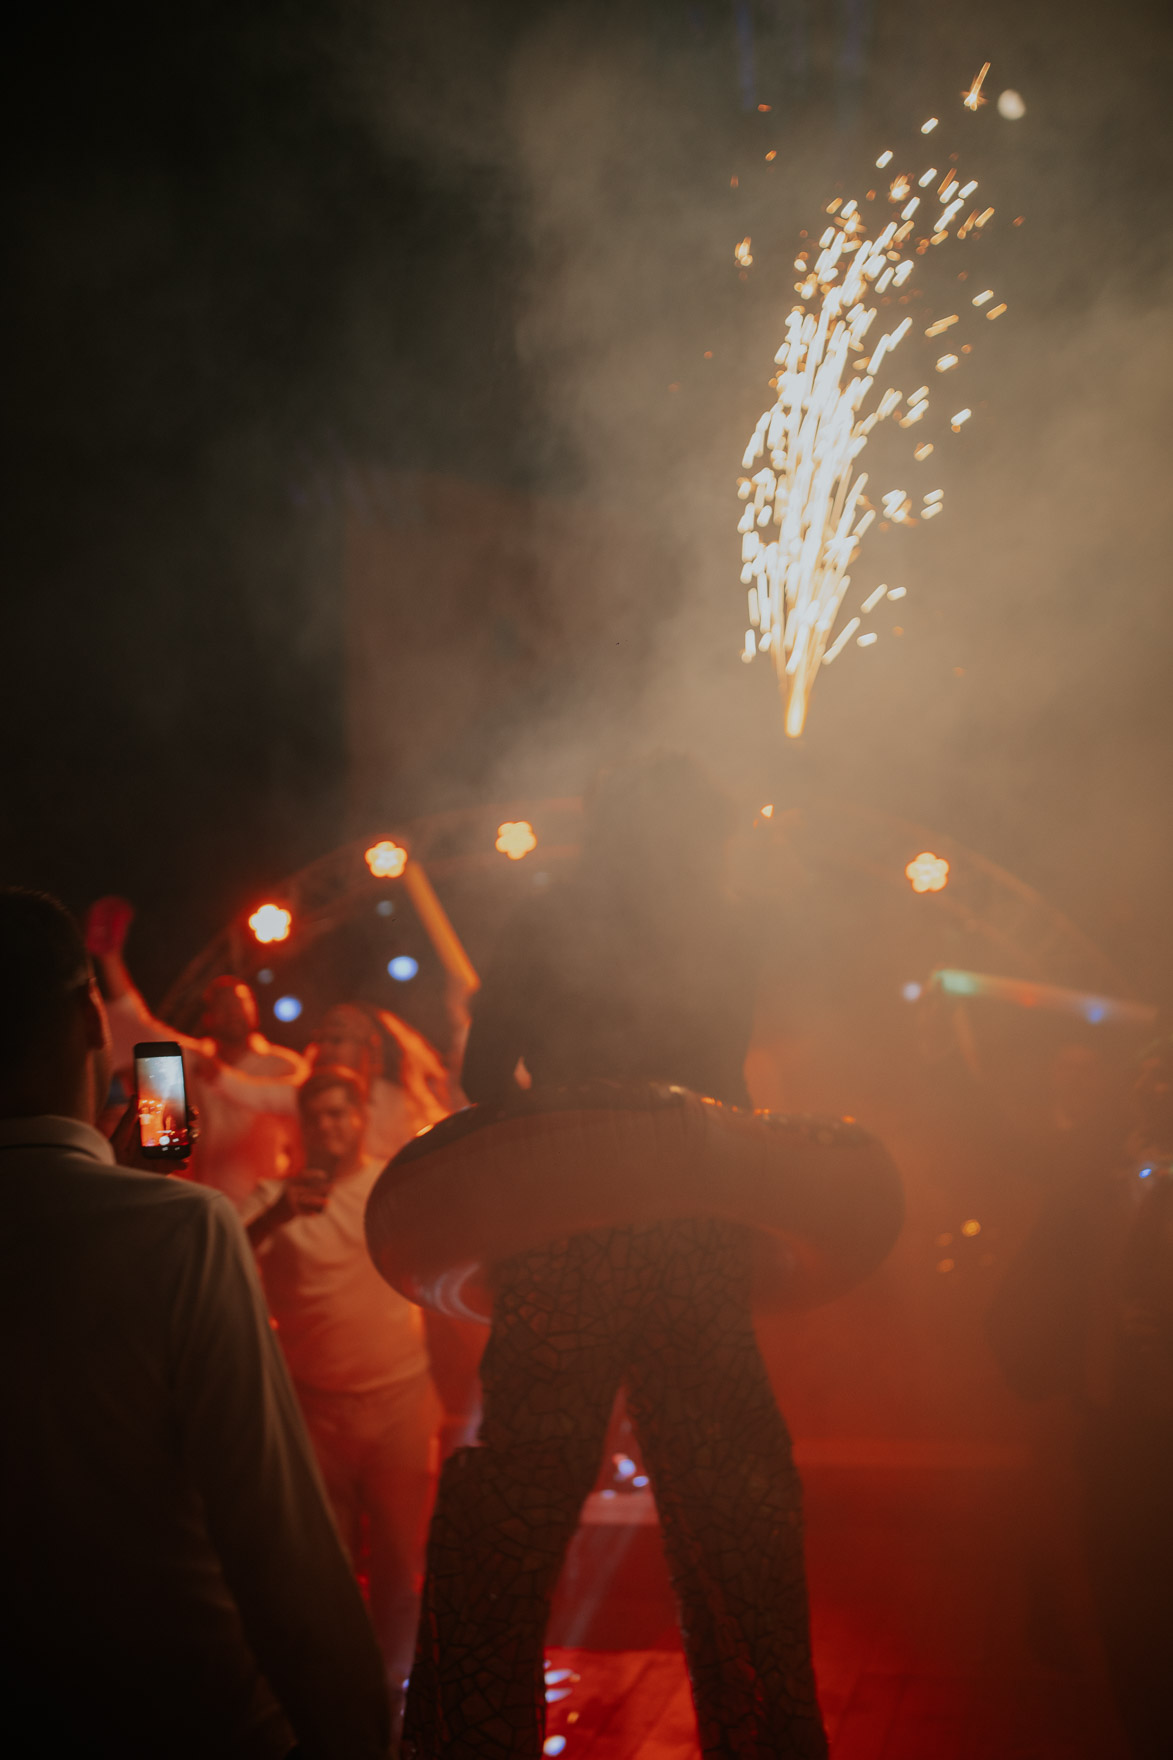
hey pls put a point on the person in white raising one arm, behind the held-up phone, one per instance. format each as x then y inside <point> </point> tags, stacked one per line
<point>244,1085</point>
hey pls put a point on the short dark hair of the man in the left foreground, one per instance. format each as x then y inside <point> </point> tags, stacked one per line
<point>43,958</point>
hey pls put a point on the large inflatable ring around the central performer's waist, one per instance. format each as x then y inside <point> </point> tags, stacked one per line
<point>492,1182</point>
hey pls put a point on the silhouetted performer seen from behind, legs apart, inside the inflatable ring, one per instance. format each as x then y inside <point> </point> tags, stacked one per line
<point>631,974</point>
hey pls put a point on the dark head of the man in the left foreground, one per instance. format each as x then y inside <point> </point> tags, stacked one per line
<point>54,1041</point>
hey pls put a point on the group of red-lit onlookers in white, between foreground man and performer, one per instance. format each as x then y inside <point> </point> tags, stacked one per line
<point>297,1145</point>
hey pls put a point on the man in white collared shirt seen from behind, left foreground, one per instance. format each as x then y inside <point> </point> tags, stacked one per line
<point>175,1588</point>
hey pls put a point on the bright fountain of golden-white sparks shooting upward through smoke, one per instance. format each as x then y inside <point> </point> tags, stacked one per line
<point>806,511</point>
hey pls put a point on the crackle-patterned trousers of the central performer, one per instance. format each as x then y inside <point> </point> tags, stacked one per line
<point>663,1310</point>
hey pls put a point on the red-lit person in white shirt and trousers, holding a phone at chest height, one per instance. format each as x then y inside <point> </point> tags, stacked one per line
<point>357,1353</point>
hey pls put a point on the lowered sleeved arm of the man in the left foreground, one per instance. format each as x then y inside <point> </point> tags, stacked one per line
<point>246,1444</point>
